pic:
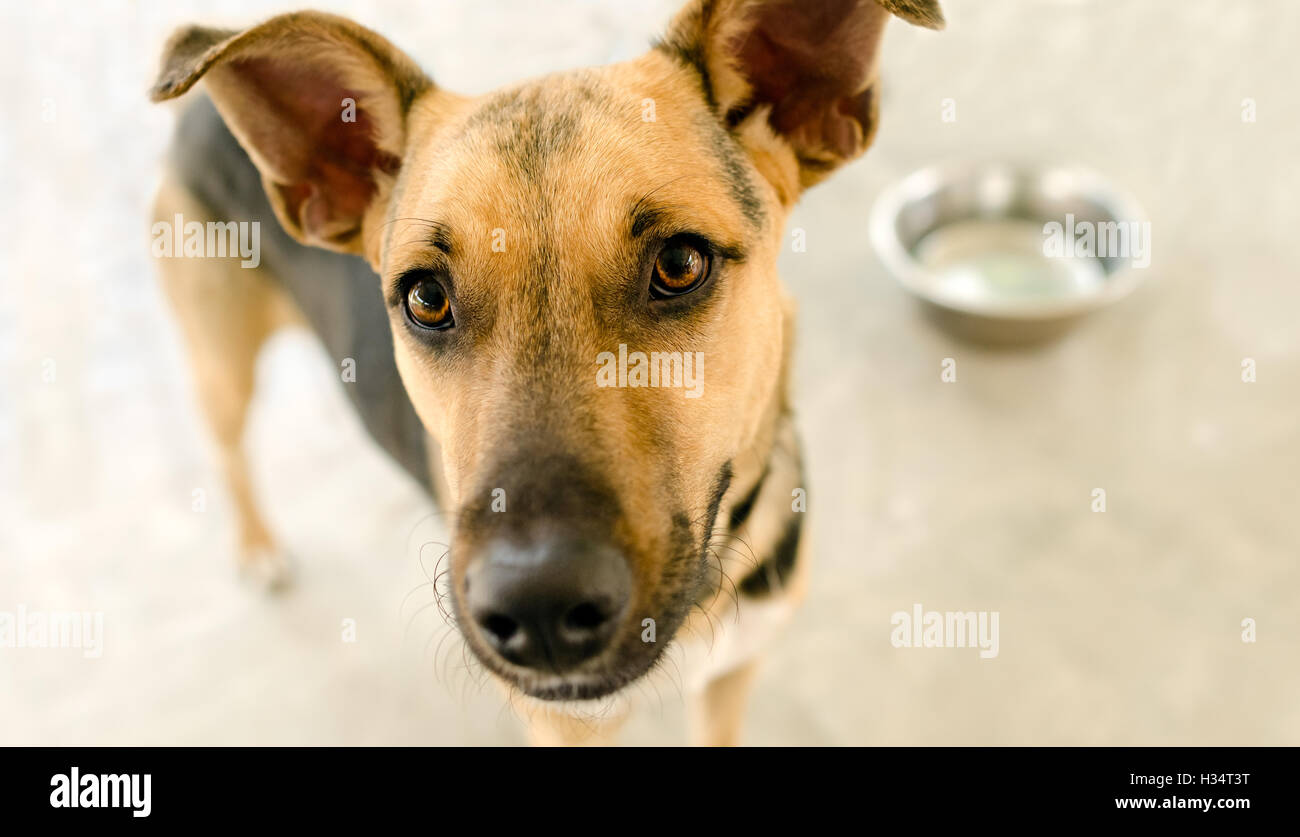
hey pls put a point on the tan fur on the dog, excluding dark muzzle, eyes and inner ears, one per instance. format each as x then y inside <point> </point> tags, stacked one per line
<point>556,167</point>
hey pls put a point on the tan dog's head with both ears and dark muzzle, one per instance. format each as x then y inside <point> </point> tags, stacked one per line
<point>582,279</point>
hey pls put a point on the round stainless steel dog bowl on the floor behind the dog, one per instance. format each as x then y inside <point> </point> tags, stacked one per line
<point>973,244</point>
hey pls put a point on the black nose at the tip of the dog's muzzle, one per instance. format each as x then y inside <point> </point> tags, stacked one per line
<point>551,605</point>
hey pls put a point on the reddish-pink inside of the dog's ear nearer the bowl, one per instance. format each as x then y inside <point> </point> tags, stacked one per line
<point>809,62</point>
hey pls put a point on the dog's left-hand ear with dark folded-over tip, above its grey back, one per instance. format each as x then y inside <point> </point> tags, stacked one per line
<point>319,103</point>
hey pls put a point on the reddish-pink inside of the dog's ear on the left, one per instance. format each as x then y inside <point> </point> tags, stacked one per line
<point>324,167</point>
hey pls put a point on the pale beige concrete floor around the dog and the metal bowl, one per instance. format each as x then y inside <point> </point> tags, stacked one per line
<point>1117,628</point>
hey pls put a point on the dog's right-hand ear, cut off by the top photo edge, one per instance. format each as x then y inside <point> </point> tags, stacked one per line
<point>796,79</point>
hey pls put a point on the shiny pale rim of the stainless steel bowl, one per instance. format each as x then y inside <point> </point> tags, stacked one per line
<point>922,283</point>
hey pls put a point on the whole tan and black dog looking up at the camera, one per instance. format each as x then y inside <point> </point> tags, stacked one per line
<point>502,271</point>
